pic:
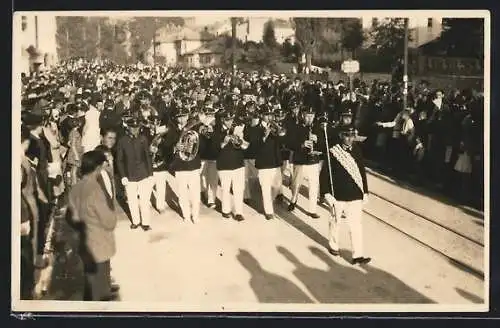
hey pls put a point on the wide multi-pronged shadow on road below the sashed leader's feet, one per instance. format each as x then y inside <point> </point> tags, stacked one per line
<point>345,284</point>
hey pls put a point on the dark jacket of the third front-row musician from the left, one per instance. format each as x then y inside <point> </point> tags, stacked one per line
<point>229,157</point>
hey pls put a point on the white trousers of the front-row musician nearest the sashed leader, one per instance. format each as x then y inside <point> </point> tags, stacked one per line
<point>311,173</point>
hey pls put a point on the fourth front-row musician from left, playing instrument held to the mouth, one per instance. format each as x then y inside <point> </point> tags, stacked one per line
<point>268,159</point>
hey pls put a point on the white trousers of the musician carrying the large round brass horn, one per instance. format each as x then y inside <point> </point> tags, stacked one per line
<point>188,191</point>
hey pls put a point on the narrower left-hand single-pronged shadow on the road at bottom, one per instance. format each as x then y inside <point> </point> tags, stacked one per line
<point>269,287</point>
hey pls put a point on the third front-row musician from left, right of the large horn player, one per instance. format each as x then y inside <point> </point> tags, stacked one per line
<point>230,164</point>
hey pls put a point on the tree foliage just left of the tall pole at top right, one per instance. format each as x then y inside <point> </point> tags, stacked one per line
<point>388,37</point>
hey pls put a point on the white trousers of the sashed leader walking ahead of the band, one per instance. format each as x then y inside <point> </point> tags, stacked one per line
<point>353,213</point>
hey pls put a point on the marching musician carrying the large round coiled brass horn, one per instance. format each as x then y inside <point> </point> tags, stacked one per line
<point>186,163</point>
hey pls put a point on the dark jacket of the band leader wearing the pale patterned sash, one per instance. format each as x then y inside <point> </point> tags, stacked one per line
<point>345,189</point>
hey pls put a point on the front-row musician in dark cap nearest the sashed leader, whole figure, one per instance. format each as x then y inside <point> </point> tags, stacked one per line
<point>305,159</point>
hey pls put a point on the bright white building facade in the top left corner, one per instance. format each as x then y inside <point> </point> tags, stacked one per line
<point>37,41</point>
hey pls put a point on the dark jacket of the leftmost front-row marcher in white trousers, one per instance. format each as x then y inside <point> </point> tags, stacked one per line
<point>133,158</point>
